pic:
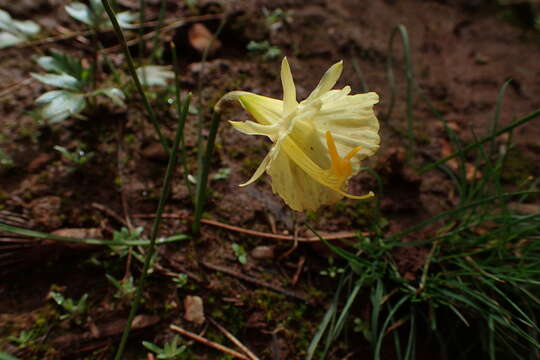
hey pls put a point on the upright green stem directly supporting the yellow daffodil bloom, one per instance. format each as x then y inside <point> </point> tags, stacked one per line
<point>202,175</point>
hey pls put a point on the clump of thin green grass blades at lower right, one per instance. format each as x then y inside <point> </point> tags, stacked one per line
<point>476,291</point>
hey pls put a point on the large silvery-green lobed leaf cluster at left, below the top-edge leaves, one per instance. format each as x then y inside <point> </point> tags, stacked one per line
<point>68,74</point>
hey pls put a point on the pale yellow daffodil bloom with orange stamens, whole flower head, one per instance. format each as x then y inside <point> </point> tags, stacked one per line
<point>317,144</point>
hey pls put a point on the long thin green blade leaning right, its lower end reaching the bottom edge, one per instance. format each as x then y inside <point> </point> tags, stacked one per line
<point>155,227</point>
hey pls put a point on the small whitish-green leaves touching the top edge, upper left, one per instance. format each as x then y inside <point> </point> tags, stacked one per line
<point>95,16</point>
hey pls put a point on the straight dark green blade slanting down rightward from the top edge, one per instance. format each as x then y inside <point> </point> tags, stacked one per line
<point>133,74</point>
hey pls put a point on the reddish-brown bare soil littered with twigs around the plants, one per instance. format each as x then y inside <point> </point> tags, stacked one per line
<point>462,54</point>
